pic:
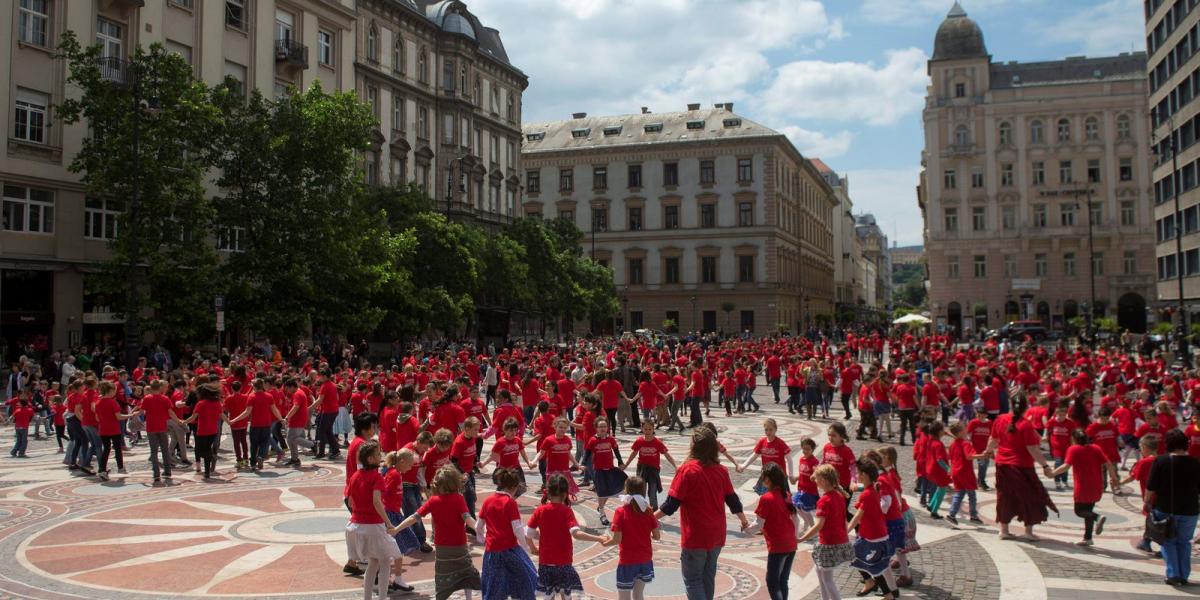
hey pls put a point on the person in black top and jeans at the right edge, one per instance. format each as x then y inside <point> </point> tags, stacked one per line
<point>1174,493</point>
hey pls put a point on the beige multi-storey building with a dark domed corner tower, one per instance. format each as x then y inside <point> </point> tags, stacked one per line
<point>1025,164</point>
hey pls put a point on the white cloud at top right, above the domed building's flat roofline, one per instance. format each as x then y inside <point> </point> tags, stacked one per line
<point>1113,27</point>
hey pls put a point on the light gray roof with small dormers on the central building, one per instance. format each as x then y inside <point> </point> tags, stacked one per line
<point>590,133</point>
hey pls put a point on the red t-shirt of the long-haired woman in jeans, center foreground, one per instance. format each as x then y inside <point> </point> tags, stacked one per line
<point>701,491</point>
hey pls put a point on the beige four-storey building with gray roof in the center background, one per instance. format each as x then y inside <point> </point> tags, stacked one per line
<point>692,211</point>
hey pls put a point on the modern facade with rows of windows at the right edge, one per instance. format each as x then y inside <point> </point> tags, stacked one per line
<point>1173,37</point>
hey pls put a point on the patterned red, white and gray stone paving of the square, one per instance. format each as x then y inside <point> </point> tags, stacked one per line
<point>279,536</point>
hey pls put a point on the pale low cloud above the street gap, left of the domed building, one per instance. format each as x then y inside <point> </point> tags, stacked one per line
<point>891,195</point>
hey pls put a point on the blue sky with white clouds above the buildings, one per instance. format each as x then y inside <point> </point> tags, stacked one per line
<point>845,80</point>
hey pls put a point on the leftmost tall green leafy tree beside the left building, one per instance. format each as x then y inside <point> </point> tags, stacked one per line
<point>149,133</point>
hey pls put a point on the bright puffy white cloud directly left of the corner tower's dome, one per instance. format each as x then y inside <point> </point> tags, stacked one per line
<point>842,92</point>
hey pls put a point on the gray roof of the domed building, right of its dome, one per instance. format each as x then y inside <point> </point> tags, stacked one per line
<point>1073,70</point>
